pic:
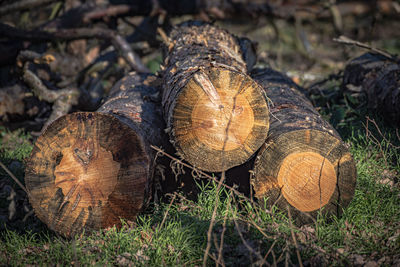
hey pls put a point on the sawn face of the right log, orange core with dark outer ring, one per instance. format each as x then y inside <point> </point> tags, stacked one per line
<point>307,169</point>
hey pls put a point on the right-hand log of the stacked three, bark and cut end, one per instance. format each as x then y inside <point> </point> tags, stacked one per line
<point>304,162</point>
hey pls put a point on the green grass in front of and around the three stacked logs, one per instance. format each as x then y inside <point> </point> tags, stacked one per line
<point>174,231</point>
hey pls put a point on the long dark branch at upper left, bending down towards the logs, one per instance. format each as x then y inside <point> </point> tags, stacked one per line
<point>79,33</point>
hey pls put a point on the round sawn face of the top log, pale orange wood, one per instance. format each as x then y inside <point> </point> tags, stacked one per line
<point>220,119</point>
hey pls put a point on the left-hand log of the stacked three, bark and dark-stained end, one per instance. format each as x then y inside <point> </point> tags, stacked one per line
<point>89,170</point>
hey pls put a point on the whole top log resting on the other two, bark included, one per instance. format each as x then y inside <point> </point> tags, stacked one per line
<point>216,115</point>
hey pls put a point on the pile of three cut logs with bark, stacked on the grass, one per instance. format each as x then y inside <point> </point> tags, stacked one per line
<point>89,170</point>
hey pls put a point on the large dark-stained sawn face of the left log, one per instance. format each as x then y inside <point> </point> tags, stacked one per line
<point>86,171</point>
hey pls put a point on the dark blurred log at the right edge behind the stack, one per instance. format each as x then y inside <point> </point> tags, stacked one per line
<point>379,77</point>
